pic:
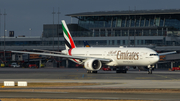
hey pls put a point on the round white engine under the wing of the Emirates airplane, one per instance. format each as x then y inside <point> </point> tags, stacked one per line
<point>92,64</point>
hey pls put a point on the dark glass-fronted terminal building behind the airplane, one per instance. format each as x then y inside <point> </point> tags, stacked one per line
<point>156,29</point>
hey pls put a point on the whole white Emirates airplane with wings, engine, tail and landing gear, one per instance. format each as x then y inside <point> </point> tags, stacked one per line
<point>93,58</point>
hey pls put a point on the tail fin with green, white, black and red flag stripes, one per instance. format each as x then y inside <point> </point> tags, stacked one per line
<point>69,43</point>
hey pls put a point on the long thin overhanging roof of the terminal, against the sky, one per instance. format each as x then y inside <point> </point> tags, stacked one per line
<point>127,12</point>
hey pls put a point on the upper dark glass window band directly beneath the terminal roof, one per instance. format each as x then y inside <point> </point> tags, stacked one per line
<point>121,21</point>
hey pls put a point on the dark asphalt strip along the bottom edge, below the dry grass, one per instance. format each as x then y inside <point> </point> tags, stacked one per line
<point>113,96</point>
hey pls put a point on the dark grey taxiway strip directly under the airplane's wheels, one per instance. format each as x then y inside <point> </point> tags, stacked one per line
<point>81,74</point>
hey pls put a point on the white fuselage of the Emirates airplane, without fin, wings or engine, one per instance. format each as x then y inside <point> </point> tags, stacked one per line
<point>119,56</point>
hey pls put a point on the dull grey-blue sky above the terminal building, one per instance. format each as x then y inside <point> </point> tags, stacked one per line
<point>25,14</point>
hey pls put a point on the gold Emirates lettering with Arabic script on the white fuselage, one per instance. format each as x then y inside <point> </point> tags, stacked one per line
<point>125,55</point>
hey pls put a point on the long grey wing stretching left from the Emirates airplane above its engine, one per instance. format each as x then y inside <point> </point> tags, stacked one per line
<point>64,56</point>
